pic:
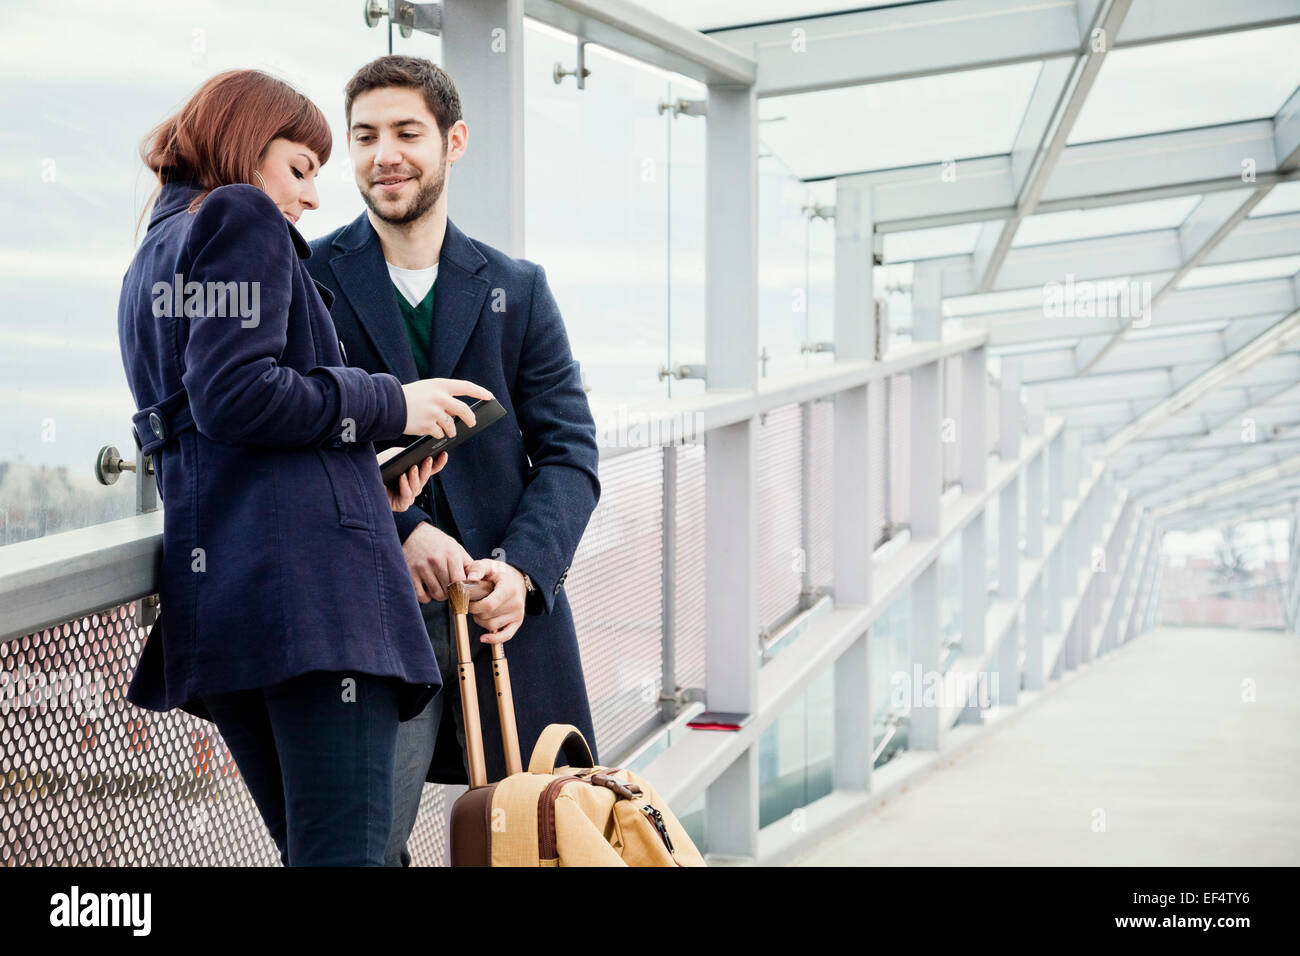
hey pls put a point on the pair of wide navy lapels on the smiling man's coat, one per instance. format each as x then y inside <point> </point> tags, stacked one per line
<point>460,295</point>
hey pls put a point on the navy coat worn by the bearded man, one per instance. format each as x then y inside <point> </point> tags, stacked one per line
<point>525,490</point>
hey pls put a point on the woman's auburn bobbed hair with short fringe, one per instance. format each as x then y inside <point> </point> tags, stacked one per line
<point>222,135</point>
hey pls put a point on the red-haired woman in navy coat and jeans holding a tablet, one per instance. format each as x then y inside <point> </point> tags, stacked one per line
<point>288,615</point>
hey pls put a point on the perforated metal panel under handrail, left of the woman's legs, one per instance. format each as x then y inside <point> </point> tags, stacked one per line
<point>89,780</point>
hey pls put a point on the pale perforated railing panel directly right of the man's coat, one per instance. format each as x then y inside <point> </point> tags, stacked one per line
<point>616,587</point>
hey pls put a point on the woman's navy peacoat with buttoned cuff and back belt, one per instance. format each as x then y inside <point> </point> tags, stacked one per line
<point>280,552</point>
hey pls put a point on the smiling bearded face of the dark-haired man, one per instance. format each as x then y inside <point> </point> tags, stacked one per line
<point>397,154</point>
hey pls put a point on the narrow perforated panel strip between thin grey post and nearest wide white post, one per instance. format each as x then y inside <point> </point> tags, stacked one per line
<point>690,607</point>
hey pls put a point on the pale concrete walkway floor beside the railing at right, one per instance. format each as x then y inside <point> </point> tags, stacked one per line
<point>1154,742</point>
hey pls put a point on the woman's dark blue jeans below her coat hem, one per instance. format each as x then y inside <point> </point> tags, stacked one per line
<point>317,755</point>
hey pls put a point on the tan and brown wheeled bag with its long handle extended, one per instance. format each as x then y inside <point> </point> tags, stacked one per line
<point>574,815</point>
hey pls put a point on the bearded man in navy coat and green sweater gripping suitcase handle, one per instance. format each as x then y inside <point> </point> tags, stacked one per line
<point>417,297</point>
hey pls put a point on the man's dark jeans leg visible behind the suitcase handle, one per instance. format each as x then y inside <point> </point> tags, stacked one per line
<point>417,738</point>
